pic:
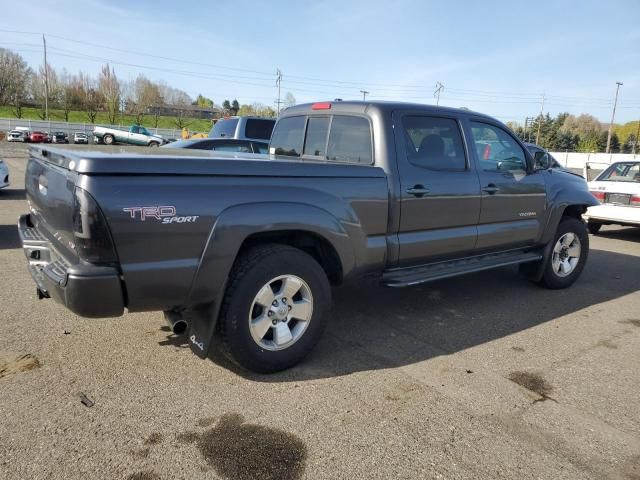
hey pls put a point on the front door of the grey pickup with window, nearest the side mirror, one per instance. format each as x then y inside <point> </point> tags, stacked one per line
<point>513,197</point>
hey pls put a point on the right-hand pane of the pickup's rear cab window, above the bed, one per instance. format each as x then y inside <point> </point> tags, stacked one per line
<point>350,140</point>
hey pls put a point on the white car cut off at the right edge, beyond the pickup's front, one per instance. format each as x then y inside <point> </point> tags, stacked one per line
<point>618,190</point>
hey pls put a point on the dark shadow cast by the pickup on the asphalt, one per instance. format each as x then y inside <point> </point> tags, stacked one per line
<point>373,327</point>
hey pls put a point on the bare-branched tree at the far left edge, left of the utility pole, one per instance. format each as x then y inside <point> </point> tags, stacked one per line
<point>14,77</point>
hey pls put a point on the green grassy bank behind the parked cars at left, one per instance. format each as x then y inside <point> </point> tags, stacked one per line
<point>76,116</point>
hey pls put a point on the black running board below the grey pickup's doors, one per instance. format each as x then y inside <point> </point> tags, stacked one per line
<point>404,277</point>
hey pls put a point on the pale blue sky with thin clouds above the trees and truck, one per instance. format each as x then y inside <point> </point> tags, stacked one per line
<point>496,57</point>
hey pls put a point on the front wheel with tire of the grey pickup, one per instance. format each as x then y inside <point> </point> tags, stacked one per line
<point>558,276</point>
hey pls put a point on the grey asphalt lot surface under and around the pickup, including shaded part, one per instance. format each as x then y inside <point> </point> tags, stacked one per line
<point>480,377</point>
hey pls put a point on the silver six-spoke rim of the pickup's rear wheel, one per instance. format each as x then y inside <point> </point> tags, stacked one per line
<point>280,312</point>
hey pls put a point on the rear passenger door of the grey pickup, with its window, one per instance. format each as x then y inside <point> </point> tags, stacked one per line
<point>440,191</point>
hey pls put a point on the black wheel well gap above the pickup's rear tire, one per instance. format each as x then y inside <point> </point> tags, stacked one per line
<point>315,245</point>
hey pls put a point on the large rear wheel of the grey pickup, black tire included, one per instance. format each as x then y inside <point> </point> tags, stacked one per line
<point>252,273</point>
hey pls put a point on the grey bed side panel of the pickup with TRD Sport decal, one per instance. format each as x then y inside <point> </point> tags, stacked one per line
<point>160,261</point>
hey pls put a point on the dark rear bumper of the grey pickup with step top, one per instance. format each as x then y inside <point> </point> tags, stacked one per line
<point>86,290</point>
